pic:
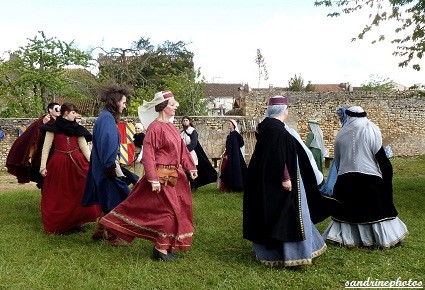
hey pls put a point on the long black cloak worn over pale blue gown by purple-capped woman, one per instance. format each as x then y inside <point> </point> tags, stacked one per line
<point>270,213</point>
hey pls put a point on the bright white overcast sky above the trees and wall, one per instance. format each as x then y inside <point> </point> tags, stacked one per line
<point>294,36</point>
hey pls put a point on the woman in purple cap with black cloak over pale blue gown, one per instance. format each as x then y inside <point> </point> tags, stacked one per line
<point>277,219</point>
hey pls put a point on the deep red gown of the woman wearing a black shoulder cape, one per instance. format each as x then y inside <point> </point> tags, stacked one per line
<point>63,188</point>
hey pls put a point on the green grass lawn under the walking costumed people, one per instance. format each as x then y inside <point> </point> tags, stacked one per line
<point>219,257</point>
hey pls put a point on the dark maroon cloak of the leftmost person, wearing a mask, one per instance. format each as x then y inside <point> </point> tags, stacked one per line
<point>23,159</point>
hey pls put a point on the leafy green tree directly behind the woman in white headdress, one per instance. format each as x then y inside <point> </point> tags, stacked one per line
<point>148,69</point>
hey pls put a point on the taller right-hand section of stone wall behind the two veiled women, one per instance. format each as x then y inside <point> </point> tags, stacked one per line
<point>399,115</point>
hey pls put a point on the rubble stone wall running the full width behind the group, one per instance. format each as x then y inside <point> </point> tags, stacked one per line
<point>400,116</point>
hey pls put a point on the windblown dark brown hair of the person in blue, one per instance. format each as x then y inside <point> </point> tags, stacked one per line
<point>111,95</point>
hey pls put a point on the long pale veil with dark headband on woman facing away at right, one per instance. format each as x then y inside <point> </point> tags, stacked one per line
<point>357,143</point>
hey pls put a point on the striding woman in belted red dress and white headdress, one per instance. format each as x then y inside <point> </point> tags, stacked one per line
<point>158,209</point>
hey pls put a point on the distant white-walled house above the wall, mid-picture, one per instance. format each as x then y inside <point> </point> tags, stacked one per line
<point>223,97</point>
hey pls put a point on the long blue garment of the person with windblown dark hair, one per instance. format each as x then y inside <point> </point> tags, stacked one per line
<point>99,188</point>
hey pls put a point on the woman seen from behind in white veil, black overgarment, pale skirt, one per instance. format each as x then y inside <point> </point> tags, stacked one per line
<point>368,216</point>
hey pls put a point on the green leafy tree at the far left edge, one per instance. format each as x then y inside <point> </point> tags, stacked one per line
<point>34,74</point>
